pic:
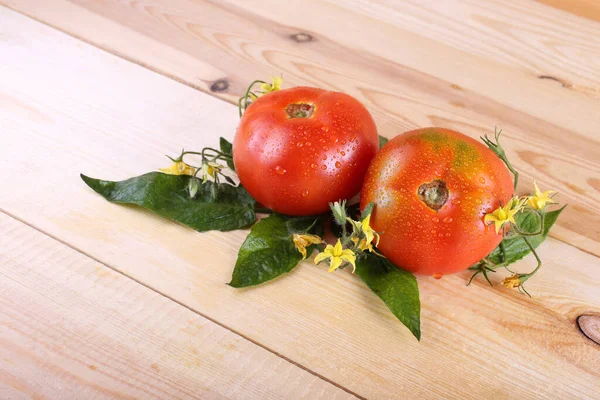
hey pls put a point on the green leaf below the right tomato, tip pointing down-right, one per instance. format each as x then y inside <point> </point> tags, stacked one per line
<point>397,288</point>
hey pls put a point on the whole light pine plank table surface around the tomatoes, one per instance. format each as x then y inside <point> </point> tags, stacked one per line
<point>106,301</point>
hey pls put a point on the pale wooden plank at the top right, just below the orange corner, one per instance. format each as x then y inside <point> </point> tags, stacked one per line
<point>531,39</point>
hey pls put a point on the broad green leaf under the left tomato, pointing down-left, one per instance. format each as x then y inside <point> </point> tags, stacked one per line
<point>269,251</point>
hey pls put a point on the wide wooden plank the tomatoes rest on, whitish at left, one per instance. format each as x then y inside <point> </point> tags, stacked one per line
<point>72,108</point>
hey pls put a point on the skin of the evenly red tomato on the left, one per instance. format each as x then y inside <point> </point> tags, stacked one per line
<point>296,166</point>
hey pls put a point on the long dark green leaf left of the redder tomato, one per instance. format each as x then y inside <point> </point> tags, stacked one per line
<point>168,196</point>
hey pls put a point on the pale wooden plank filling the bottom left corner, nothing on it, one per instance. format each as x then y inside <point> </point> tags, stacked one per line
<point>73,328</point>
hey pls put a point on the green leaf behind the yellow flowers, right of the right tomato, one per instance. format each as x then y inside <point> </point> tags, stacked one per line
<point>515,247</point>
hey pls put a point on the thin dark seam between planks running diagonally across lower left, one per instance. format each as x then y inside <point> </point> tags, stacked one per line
<point>262,346</point>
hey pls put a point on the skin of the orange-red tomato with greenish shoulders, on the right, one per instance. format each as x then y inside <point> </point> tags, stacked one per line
<point>416,237</point>
